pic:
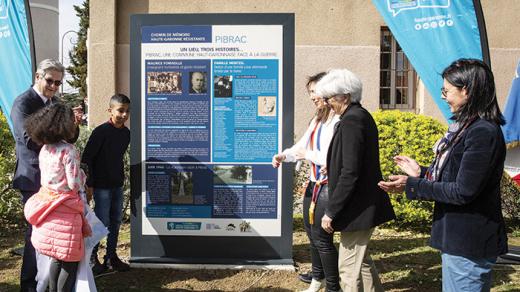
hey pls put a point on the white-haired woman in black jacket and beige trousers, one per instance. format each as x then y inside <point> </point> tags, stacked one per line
<point>356,204</point>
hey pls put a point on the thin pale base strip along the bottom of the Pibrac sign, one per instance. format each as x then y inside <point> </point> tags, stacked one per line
<point>212,266</point>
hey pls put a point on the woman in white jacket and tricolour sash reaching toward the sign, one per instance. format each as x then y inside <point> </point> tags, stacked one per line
<point>313,147</point>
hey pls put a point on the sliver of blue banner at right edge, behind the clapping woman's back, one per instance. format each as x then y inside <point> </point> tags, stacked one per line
<point>512,113</point>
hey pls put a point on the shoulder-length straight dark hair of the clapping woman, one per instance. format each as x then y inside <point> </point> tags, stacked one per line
<point>477,79</point>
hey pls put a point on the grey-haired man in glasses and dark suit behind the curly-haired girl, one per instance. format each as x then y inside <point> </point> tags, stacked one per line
<point>48,79</point>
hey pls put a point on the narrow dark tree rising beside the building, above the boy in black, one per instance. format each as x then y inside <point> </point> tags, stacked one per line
<point>78,54</point>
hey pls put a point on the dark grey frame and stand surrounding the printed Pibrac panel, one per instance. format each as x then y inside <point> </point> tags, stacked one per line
<point>216,250</point>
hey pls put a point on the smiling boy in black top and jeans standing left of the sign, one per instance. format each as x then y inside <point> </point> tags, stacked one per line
<point>104,154</point>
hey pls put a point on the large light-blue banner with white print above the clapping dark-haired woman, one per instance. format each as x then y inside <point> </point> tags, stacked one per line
<point>434,33</point>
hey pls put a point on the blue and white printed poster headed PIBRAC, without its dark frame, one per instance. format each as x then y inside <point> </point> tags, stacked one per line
<point>212,124</point>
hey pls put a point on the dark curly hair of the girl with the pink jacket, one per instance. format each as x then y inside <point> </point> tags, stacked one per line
<point>51,124</point>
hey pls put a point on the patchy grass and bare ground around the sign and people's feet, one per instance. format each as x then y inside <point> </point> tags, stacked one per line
<point>404,261</point>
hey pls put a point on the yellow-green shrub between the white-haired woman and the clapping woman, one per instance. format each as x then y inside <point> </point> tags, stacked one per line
<point>403,133</point>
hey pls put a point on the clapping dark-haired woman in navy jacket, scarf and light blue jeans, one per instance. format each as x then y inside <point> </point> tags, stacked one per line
<point>463,180</point>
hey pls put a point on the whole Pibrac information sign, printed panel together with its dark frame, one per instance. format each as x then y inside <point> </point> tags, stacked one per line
<point>212,102</point>
